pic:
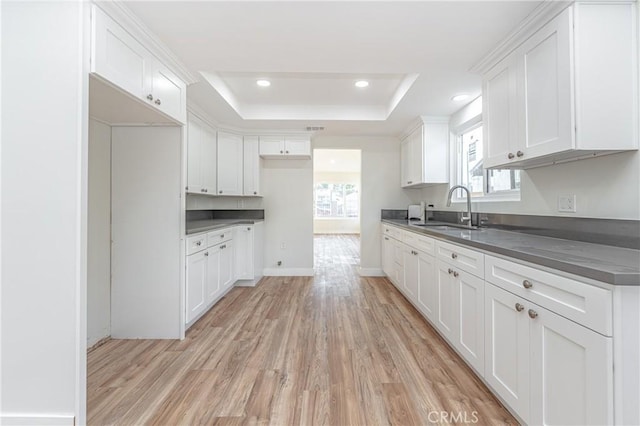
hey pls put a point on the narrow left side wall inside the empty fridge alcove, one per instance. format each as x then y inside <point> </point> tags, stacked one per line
<point>99,234</point>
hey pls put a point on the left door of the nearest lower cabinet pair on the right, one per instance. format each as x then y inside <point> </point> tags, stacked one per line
<point>507,348</point>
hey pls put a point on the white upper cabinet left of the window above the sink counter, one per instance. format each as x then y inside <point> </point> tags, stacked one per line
<point>424,154</point>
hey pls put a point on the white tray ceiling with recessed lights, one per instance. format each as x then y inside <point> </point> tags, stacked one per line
<point>415,55</point>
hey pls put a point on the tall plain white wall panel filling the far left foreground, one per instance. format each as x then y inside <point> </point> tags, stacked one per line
<point>43,223</point>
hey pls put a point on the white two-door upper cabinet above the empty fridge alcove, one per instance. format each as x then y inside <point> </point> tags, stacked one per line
<point>120,59</point>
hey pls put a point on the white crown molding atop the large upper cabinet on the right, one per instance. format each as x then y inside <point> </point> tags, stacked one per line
<point>533,22</point>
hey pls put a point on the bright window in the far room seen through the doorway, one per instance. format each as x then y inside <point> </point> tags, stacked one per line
<point>336,200</point>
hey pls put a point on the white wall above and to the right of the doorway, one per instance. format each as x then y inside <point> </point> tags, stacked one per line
<point>380,180</point>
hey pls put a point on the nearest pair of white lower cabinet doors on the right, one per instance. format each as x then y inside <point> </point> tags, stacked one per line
<point>548,369</point>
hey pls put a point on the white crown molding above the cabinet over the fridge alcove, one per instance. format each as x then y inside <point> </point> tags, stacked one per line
<point>133,25</point>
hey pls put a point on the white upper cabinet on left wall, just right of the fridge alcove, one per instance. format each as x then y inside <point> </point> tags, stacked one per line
<point>201,157</point>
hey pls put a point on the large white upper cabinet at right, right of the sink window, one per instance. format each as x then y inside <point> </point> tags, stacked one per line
<point>565,93</point>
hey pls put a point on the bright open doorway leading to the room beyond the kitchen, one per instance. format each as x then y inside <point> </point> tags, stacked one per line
<point>336,206</point>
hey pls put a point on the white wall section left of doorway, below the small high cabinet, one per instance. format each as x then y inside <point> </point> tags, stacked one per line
<point>288,209</point>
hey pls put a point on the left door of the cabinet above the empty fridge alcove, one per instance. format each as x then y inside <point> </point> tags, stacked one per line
<point>118,57</point>
